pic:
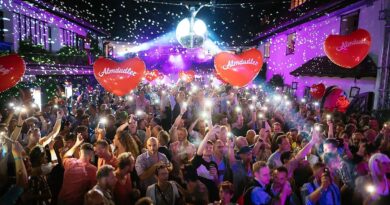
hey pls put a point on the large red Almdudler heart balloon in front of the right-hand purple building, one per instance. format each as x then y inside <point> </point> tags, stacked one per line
<point>349,50</point>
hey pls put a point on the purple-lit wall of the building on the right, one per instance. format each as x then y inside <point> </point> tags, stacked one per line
<point>309,44</point>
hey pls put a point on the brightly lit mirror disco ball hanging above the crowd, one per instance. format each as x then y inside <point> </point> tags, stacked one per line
<point>191,38</point>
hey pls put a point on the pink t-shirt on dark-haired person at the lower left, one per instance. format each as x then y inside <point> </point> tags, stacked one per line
<point>79,178</point>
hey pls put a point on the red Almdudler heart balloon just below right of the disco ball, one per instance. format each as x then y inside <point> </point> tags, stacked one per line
<point>239,70</point>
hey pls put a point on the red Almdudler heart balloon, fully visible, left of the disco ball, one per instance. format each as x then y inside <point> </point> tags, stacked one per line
<point>119,77</point>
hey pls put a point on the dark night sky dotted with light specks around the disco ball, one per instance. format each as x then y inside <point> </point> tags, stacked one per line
<point>229,22</point>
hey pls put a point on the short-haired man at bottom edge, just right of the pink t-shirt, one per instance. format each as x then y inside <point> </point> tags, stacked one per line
<point>101,193</point>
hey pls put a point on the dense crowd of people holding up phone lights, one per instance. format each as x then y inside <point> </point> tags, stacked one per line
<point>190,144</point>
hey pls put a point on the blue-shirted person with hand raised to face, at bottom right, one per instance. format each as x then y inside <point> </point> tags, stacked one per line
<point>322,190</point>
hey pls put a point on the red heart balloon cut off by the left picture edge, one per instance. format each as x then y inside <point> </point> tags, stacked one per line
<point>12,68</point>
